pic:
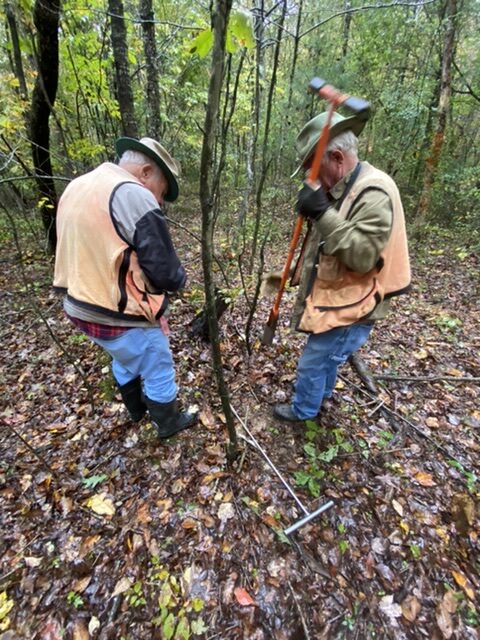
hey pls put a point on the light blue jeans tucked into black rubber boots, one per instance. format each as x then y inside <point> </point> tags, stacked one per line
<point>146,353</point>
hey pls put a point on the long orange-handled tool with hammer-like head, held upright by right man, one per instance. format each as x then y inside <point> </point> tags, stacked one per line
<point>362,109</point>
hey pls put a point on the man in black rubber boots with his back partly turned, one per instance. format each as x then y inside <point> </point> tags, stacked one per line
<point>116,263</point>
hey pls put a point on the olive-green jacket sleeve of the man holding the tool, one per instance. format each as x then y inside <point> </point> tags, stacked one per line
<point>359,240</point>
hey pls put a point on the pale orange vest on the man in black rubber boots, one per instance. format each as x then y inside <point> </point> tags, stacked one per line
<point>93,265</point>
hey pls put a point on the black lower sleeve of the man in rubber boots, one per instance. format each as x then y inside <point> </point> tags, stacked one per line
<point>156,255</point>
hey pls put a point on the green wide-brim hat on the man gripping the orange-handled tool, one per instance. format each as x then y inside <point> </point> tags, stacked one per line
<point>310,134</point>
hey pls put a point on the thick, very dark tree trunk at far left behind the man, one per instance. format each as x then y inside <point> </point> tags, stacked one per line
<point>46,16</point>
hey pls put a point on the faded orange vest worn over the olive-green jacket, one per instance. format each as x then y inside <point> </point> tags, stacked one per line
<point>340,296</point>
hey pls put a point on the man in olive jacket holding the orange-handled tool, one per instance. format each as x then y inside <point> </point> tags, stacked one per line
<point>355,259</point>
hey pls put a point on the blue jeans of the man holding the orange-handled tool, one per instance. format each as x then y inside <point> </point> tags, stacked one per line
<point>317,367</point>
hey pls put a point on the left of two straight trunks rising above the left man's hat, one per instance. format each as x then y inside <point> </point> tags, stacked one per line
<point>123,90</point>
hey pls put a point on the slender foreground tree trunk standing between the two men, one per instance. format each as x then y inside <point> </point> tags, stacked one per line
<point>209,180</point>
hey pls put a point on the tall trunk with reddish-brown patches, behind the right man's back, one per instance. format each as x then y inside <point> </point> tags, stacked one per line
<point>442,110</point>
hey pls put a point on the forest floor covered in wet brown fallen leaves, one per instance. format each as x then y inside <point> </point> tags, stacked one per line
<point>107,533</point>
